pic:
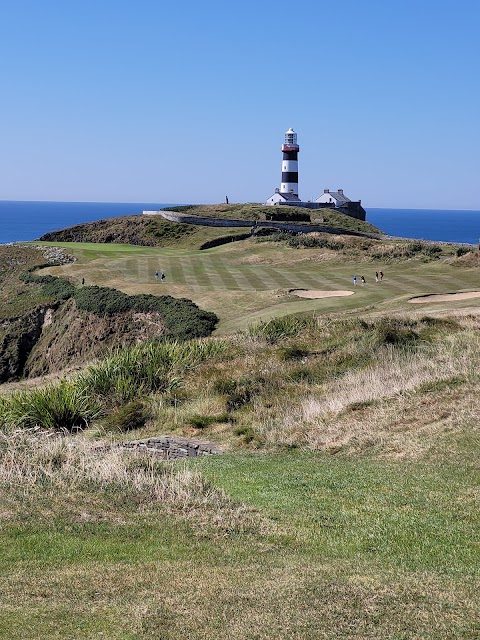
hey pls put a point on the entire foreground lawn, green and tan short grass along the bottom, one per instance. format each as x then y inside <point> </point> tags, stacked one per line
<point>327,548</point>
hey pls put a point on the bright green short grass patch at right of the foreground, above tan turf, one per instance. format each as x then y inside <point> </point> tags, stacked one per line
<point>414,517</point>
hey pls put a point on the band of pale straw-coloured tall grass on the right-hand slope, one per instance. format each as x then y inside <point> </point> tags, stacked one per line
<point>394,373</point>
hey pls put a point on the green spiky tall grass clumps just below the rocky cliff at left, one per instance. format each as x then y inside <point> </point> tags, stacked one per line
<point>121,378</point>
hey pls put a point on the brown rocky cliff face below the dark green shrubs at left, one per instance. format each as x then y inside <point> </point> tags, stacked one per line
<point>53,338</point>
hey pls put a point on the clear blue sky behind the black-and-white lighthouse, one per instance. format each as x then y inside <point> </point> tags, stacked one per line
<point>188,101</point>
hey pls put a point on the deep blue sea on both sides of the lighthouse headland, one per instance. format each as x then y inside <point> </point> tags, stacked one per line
<point>24,221</point>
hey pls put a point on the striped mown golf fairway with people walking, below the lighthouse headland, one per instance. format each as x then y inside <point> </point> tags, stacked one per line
<point>246,282</point>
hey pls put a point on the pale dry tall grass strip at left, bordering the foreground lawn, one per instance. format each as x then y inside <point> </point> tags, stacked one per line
<point>65,469</point>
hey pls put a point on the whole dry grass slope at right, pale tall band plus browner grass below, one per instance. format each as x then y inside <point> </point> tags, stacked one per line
<point>381,406</point>
